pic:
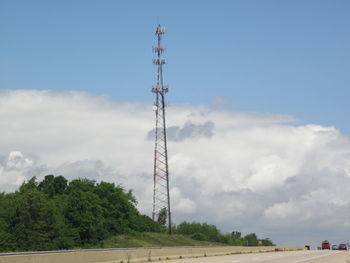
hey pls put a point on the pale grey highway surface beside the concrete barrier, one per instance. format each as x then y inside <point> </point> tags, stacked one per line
<point>312,256</point>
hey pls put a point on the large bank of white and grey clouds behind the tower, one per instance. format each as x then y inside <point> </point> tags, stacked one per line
<point>261,173</point>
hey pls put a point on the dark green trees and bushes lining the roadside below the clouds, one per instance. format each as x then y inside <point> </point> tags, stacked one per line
<point>55,214</point>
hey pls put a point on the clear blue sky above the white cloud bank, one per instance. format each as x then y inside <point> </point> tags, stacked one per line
<point>284,57</point>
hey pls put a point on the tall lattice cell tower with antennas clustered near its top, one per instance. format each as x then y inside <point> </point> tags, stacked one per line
<point>161,198</point>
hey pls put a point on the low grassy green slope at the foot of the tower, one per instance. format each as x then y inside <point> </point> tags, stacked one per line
<point>152,240</point>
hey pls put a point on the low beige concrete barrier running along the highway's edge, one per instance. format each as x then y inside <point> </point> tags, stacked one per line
<point>133,255</point>
